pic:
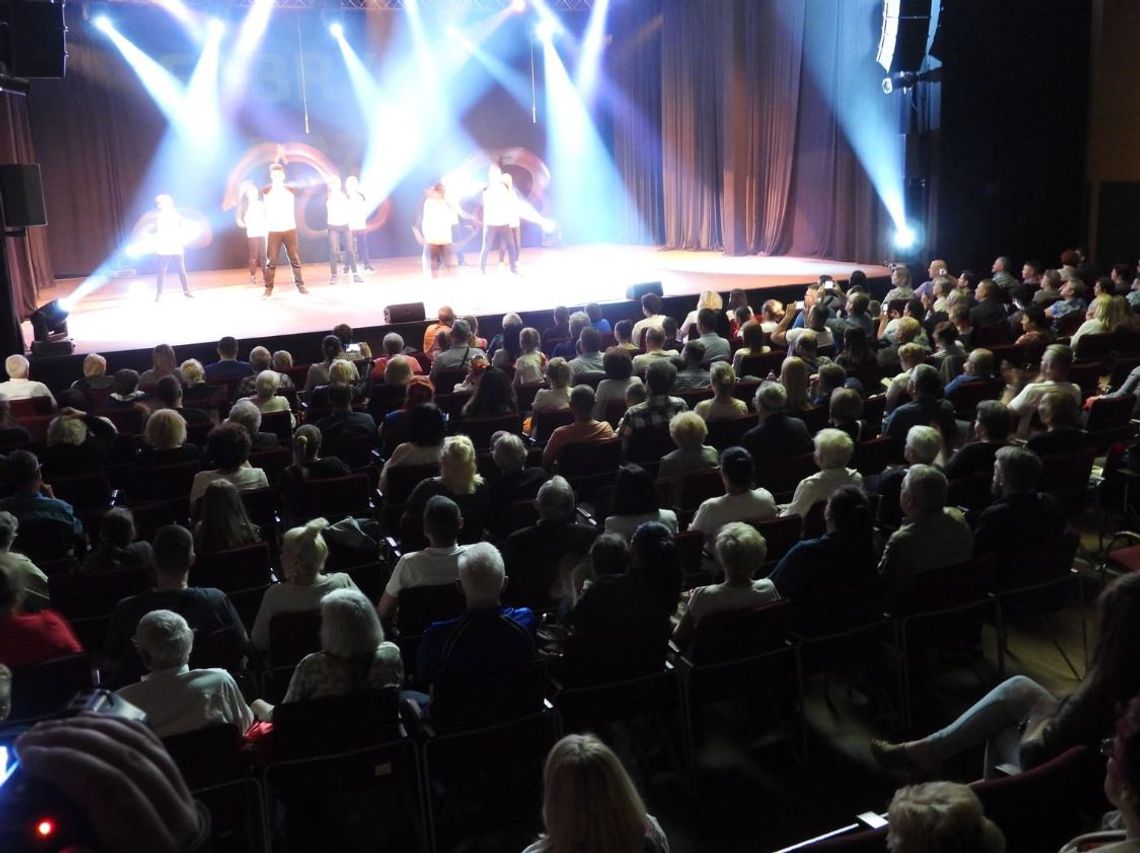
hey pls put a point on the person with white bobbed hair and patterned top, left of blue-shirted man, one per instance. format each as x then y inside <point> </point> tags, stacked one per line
<point>354,657</point>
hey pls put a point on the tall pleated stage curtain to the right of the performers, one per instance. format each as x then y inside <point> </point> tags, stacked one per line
<point>775,82</point>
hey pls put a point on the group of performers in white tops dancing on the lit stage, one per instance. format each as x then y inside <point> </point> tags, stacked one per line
<point>268,216</point>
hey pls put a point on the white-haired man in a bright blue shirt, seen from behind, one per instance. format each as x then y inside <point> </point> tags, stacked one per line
<point>487,641</point>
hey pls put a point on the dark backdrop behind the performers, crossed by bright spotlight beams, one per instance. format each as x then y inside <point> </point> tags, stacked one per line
<point>108,149</point>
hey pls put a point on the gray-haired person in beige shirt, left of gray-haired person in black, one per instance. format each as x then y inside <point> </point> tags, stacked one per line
<point>933,535</point>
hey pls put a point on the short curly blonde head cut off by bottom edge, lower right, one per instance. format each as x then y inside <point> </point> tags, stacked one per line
<point>946,815</point>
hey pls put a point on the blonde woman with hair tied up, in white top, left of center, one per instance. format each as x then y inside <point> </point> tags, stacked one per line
<point>305,584</point>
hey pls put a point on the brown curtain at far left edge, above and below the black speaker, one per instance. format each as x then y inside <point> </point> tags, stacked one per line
<point>28,258</point>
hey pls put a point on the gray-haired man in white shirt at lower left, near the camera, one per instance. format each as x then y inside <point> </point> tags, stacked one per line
<point>176,698</point>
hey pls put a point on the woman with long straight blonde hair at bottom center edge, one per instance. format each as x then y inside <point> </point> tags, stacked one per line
<point>590,803</point>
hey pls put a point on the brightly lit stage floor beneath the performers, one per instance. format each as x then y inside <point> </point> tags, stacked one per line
<point>124,315</point>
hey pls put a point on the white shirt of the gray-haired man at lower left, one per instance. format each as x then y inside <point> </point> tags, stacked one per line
<point>184,701</point>
